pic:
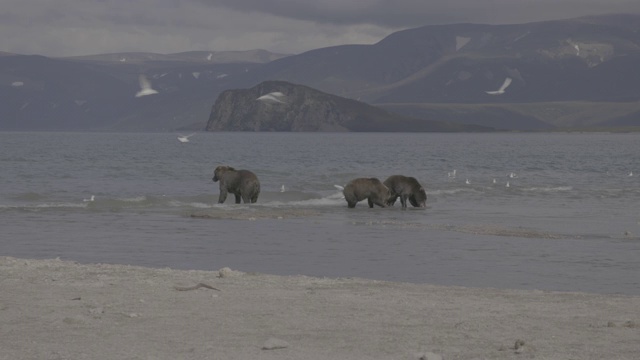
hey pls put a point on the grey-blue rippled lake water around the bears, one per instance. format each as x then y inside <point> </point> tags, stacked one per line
<point>569,220</point>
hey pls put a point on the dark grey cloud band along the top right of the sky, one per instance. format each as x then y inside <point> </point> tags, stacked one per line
<point>411,13</point>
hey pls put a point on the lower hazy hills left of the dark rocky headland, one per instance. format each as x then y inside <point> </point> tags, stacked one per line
<point>98,92</point>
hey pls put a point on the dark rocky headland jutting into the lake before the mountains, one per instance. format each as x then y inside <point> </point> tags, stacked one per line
<point>282,106</point>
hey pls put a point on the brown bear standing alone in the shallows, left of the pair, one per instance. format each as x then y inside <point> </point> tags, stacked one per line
<point>242,183</point>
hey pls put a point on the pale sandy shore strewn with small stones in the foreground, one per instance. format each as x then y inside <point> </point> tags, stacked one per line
<point>52,309</point>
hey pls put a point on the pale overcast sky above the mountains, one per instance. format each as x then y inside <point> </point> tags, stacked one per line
<point>82,27</point>
